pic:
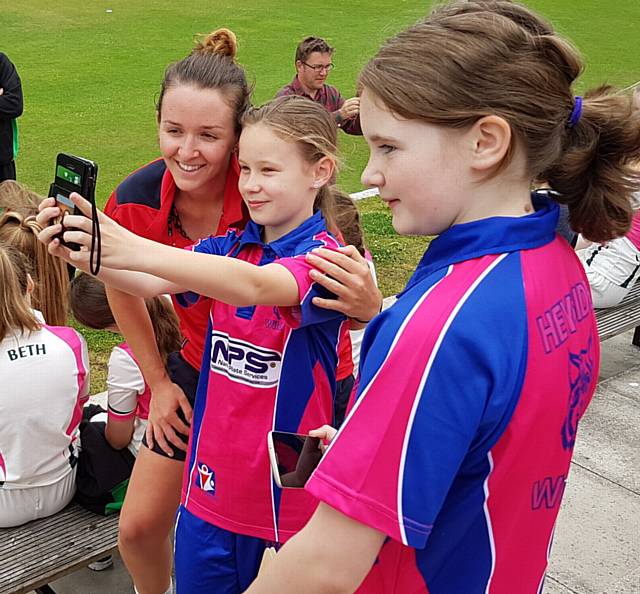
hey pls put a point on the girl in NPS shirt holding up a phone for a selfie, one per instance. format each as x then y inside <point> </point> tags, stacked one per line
<point>270,356</point>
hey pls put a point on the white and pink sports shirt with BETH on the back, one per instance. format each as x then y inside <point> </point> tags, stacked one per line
<point>44,382</point>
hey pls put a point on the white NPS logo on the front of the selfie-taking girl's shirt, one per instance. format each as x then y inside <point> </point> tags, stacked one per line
<point>244,362</point>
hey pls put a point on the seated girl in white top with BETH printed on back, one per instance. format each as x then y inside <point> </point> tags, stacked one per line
<point>45,379</point>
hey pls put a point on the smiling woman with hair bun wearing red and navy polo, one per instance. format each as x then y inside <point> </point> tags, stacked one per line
<point>187,194</point>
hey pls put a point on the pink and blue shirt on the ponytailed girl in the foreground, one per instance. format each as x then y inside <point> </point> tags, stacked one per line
<point>471,388</point>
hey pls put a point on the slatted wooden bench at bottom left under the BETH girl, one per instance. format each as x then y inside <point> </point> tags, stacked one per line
<point>37,553</point>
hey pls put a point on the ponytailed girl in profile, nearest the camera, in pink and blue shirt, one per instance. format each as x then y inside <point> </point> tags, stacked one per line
<point>472,385</point>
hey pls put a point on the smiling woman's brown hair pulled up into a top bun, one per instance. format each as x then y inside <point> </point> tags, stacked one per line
<point>212,65</point>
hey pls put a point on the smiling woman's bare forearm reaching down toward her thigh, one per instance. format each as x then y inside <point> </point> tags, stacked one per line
<point>133,320</point>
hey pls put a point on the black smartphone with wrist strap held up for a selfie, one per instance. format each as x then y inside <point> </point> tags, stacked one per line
<point>73,174</point>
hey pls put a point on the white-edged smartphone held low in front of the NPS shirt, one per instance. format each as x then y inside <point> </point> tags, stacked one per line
<point>293,457</point>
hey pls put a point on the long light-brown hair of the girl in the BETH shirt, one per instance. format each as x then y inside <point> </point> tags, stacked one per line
<point>15,310</point>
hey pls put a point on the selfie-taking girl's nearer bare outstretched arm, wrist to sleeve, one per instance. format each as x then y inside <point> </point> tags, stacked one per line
<point>226,279</point>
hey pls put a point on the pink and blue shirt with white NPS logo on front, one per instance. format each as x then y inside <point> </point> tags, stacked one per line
<point>264,368</point>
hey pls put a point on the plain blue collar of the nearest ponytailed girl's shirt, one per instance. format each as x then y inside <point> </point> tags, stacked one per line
<point>494,235</point>
